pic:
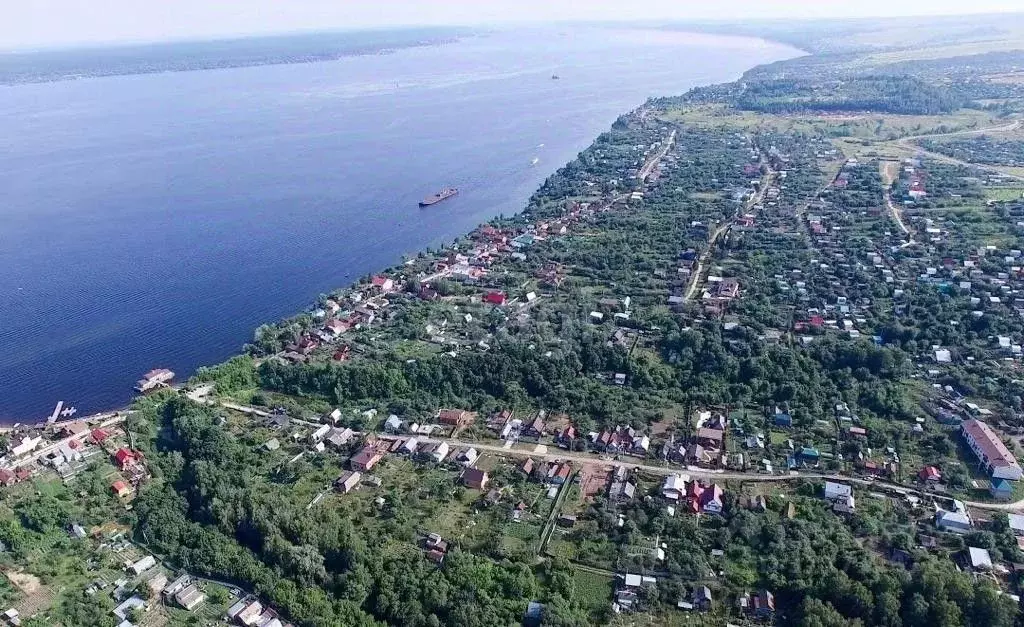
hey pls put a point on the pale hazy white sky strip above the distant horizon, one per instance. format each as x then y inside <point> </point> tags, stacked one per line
<point>51,23</point>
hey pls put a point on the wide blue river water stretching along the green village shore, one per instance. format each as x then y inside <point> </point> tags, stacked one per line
<point>155,221</point>
